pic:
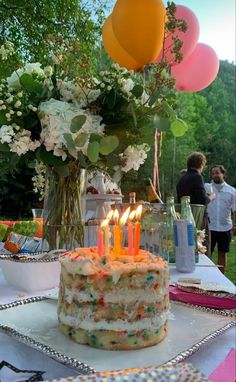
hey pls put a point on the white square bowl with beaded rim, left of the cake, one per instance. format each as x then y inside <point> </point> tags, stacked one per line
<point>31,275</point>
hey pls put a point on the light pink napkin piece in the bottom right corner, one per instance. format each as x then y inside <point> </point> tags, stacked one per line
<point>226,370</point>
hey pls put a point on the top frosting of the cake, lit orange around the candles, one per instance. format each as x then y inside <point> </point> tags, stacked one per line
<point>87,262</point>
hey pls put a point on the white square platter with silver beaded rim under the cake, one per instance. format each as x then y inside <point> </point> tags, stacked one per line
<point>34,322</point>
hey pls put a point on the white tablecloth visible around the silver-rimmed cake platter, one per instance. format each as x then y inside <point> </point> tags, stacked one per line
<point>206,359</point>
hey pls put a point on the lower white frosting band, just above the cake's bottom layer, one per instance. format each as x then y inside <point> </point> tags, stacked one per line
<point>87,323</point>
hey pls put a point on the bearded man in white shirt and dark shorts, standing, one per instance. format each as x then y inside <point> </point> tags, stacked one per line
<point>220,212</point>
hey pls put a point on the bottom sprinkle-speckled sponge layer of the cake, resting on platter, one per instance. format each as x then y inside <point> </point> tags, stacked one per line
<point>116,340</point>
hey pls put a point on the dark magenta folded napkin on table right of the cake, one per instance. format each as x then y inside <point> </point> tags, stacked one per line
<point>177,294</point>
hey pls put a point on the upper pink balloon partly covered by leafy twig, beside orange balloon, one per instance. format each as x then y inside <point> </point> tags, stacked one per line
<point>189,38</point>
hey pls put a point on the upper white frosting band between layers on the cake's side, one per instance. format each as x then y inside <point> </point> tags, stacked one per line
<point>125,295</point>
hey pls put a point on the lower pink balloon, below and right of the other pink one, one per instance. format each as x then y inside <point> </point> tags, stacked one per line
<point>197,71</point>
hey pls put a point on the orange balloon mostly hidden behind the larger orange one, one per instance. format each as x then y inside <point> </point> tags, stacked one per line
<point>115,50</point>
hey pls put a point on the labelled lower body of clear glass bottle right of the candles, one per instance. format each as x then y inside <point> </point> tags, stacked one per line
<point>184,246</point>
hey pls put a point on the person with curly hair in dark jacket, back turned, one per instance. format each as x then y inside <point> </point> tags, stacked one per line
<point>191,184</point>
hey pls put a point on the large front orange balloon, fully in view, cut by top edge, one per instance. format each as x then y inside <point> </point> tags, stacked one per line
<point>139,27</point>
